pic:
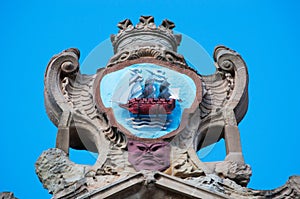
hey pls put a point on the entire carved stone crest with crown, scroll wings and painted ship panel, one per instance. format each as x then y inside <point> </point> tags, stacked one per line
<point>146,134</point>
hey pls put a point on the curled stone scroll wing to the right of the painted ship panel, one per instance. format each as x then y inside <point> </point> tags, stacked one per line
<point>225,95</point>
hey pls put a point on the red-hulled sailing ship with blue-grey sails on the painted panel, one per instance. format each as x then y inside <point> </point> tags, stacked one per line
<point>151,99</point>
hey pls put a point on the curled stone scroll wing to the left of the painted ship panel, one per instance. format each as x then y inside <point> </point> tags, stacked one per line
<point>70,104</point>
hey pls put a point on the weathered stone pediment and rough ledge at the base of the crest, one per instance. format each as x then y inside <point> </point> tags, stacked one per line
<point>65,179</point>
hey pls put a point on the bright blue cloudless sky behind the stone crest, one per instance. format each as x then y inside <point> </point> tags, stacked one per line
<point>265,33</point>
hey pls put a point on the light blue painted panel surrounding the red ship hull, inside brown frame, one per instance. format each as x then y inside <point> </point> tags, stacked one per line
<point>152,83</point>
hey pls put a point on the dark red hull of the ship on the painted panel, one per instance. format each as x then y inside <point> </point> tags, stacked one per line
<point>150,106</point>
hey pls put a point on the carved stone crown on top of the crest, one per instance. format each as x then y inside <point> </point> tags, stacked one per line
<point>145,33</point>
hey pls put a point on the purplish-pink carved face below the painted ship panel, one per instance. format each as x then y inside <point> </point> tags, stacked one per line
<point>149,156</point>
